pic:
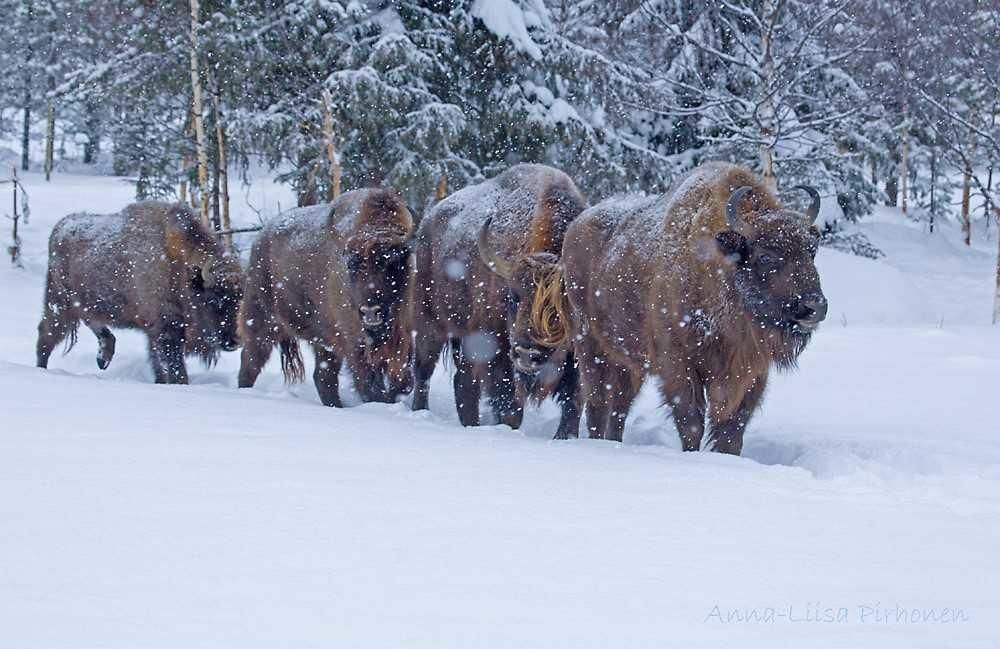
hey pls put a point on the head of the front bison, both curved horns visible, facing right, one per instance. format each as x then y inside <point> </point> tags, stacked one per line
<point>773,252</point>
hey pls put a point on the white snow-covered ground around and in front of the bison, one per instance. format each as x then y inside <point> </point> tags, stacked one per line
<point>150,516</point>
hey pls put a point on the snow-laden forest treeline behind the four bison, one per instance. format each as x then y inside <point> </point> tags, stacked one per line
<point>869,100</point>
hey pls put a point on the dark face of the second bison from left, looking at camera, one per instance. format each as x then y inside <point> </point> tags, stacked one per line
<point>378,269</point>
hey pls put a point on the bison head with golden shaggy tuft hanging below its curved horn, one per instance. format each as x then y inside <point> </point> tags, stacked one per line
<point>538,314</point>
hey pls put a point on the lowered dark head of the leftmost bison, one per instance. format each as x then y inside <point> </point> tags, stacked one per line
<point>216,292</point>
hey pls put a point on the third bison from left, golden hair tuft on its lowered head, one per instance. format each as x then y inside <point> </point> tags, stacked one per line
<point>487,282</point>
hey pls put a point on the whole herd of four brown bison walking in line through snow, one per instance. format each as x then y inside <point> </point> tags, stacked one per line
<point>530,292</point>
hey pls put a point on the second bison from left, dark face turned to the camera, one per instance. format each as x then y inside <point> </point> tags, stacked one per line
<point>335,275</point>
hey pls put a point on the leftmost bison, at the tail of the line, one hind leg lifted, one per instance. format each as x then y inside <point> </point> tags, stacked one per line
<point>152,266</point>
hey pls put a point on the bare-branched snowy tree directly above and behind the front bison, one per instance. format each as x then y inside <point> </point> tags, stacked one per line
<point>766,80</point>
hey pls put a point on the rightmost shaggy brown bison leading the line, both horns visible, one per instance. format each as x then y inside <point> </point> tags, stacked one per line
<point>705,287</point>
